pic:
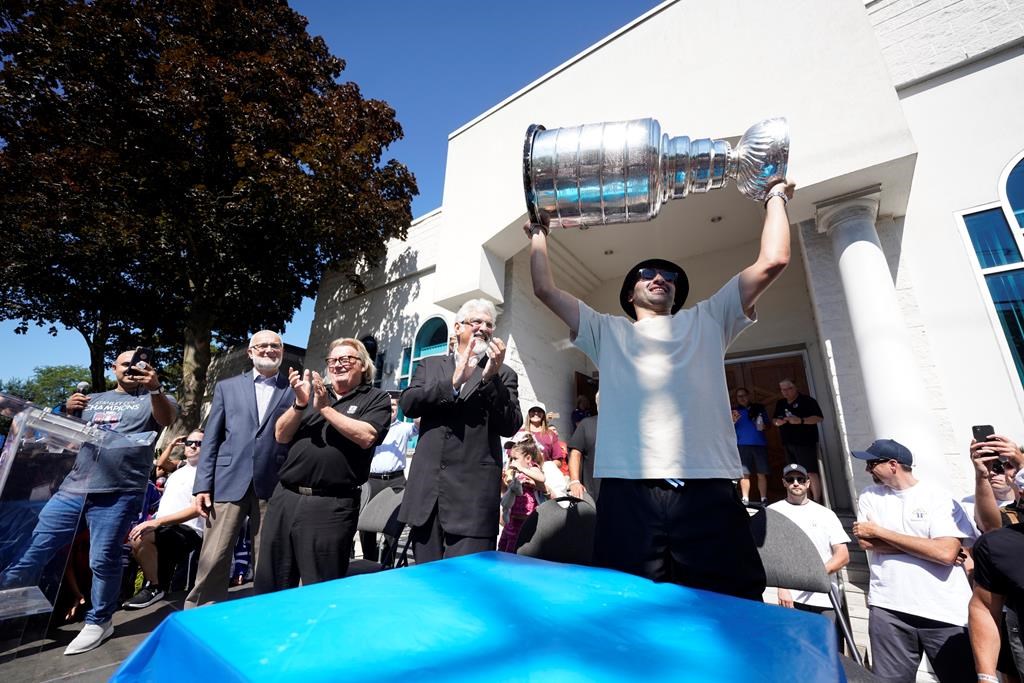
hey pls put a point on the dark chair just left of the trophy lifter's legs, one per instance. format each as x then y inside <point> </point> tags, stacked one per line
<point>562,531</point>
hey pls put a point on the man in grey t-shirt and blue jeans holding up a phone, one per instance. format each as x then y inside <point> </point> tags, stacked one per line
<point>107,488</point>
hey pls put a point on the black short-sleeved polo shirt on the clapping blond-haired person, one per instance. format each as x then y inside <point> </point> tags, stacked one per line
<point>321,458</point>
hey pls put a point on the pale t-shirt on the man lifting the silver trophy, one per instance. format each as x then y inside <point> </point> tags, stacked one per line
<point>665,406</point>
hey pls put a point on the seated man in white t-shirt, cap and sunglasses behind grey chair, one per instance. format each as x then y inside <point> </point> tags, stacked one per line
<point>826,532</point>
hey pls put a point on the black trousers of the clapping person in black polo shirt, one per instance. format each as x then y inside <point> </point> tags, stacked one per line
<point>306,538</point>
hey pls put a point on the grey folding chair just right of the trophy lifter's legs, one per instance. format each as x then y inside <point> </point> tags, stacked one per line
<point>792,562</point>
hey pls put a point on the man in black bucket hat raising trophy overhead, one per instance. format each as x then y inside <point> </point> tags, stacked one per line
<point>666,446</point>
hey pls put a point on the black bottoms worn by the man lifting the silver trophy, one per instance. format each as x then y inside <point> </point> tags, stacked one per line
<point>698,535</point>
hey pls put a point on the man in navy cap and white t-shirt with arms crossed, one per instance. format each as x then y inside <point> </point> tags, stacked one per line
<point>919,591</point>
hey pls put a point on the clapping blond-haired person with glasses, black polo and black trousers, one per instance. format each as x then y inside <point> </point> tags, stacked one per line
<point>333,428</point>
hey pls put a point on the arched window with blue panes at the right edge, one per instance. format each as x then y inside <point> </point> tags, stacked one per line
<point>997,233</point>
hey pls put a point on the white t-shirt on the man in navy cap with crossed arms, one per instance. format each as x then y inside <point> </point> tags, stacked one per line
<point>907,583</point>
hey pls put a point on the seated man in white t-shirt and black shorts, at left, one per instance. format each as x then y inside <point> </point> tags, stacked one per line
<point>176,532</point>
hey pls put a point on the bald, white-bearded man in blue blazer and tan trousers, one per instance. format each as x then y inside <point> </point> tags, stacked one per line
<point>238,467</point>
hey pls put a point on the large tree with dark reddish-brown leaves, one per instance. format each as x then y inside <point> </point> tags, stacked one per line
<point>183,172</point>
